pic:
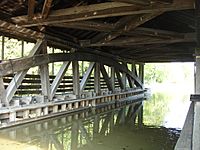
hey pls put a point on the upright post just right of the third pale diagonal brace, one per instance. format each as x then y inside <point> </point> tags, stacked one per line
<point>97,86</point>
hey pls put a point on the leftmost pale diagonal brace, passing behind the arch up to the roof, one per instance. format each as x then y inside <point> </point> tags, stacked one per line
<point>19,76</point>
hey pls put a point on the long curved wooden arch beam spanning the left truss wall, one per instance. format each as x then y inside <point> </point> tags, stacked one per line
<point>26,63</point>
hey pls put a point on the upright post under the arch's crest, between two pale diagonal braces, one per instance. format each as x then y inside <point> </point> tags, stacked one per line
<point>76,78</point>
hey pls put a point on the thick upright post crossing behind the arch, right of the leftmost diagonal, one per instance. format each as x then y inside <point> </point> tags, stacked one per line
<point>44,74</point>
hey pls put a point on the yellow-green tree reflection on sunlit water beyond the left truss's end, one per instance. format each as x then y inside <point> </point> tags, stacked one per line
<point>156,109</point>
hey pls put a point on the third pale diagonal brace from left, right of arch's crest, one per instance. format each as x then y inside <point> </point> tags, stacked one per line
<point>86,76</point>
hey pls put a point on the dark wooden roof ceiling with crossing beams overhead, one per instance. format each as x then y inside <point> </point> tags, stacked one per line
<point>139,30</point>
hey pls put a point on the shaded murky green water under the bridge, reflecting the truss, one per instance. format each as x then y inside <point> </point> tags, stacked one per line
<point>100,129</point>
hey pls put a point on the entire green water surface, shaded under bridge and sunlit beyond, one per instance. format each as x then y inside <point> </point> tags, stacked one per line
<point>109,130</point>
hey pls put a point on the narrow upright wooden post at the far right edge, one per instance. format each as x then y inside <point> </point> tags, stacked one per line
<point>196,127</point>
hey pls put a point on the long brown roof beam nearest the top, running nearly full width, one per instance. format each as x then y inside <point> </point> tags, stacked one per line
<point>102,10</point>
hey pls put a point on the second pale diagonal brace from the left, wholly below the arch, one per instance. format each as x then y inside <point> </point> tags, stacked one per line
<point>58,78</point>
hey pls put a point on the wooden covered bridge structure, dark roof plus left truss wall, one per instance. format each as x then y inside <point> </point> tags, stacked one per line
<point>115,37</point>
